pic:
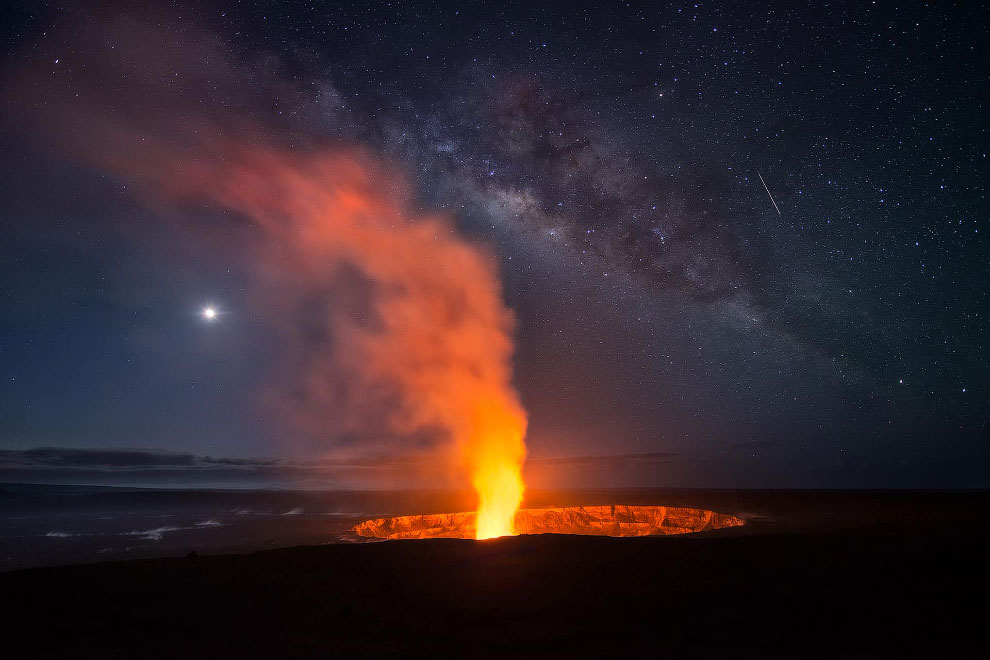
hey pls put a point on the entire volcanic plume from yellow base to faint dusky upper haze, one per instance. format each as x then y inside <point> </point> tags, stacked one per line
<point>412,339</point>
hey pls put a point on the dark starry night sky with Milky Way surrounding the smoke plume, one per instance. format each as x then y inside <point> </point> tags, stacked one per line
<point>745,247</point>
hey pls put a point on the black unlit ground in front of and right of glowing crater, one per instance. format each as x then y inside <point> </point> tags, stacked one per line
<point>854,575</point>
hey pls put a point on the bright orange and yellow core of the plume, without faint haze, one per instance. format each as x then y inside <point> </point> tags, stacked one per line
<point>441,336</point>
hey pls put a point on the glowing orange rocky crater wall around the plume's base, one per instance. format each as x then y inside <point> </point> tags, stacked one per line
<point>614,520</point>
